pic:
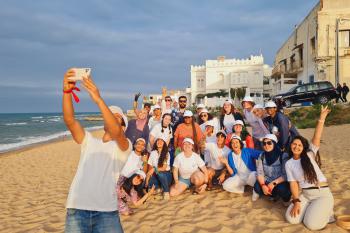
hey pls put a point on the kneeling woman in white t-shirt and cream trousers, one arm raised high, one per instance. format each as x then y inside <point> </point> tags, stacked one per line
<point>312,201</point>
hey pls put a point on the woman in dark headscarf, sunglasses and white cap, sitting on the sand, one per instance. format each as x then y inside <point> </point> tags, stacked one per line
<point>271,173</point>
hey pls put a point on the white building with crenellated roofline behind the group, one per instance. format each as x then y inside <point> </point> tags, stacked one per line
<point>223,74</point>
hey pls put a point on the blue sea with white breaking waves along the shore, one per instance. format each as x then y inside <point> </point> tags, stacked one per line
<point>20,130</point>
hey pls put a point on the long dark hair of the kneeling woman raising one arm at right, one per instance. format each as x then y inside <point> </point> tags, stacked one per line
<point>309,171</point>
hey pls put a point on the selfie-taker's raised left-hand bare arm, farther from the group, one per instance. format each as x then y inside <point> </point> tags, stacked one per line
<point>72,124</point>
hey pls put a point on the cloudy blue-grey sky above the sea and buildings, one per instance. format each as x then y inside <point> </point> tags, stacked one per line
<point>132,46</point>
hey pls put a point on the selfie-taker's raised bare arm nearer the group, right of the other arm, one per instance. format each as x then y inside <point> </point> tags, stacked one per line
<point>112,126</point>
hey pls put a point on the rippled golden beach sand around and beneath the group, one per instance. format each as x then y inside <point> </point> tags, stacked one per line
<point>34,185</point>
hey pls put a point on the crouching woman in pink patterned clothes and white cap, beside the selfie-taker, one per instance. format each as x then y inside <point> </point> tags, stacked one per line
<point>130,191</point>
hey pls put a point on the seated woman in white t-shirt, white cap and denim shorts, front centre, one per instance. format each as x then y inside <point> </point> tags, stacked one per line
<point>189,169</point>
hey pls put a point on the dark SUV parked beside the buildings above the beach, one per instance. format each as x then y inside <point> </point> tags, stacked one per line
<point>316,92</point>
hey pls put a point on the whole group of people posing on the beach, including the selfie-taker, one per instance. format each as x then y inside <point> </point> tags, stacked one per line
<point>168,149</point>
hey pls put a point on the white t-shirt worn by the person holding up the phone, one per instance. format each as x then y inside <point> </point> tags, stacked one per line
<point>93,186</point>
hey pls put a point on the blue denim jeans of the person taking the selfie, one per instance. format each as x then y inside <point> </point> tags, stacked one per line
<point>86,221</point>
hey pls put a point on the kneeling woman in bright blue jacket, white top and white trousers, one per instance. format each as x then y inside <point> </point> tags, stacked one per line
<point>240,165</point>
